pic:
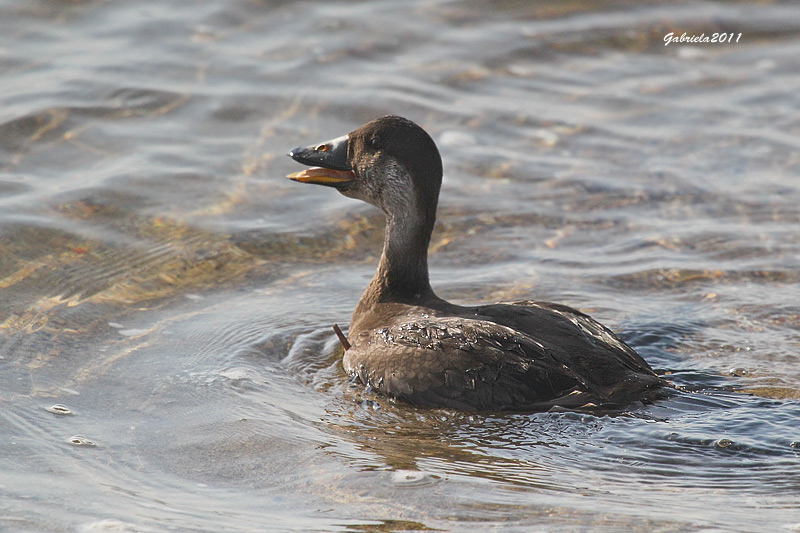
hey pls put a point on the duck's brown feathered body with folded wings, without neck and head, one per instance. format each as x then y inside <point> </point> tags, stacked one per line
<point>526,356</point>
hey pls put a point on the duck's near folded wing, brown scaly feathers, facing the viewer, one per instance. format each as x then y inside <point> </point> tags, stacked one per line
<point>467,364</point>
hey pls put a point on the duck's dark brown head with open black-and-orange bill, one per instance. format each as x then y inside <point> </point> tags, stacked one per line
<point>390,162</point>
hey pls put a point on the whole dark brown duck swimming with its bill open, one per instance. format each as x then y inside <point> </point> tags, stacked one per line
<point>407,343</point>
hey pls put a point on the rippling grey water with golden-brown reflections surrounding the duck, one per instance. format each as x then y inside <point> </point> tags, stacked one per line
<point>166,296</point>
